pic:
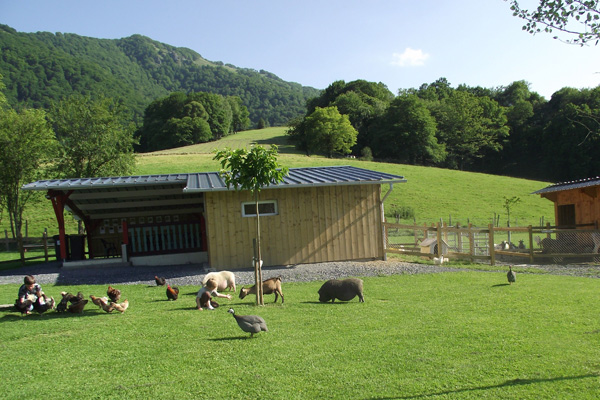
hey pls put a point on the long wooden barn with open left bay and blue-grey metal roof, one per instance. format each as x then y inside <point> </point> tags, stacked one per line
<point>316,214</point>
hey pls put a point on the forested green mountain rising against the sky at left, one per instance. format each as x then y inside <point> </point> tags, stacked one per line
<point>41,68</point>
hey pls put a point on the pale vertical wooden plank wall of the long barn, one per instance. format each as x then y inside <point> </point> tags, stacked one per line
<point>314,224</point>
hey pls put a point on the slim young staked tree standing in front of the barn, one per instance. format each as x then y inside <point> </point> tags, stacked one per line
<point>252,170</point>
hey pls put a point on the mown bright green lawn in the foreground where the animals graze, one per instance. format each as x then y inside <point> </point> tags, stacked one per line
<point>465,335</point>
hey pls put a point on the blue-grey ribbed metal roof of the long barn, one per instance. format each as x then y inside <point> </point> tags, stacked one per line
<point>130,196</point>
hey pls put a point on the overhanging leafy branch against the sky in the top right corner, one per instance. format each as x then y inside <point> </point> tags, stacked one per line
<point>578,20</point>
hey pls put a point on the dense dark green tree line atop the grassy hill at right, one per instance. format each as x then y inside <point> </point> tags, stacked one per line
<point>507,130</point>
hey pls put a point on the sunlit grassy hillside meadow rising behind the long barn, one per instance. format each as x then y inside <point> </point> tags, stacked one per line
<point>433,193</point>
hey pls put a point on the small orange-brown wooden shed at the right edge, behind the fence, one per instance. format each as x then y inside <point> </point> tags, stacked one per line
<point>576,203</point>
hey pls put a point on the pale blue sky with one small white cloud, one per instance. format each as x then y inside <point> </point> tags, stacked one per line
<point>402,43</point>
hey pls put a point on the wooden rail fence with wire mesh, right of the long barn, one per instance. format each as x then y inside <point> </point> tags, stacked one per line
<point>513,244</point>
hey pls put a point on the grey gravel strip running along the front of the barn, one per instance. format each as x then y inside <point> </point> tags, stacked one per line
<point>52,273</point>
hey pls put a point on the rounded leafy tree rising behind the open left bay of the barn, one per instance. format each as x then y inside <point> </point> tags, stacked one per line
<point>95,136</point>
